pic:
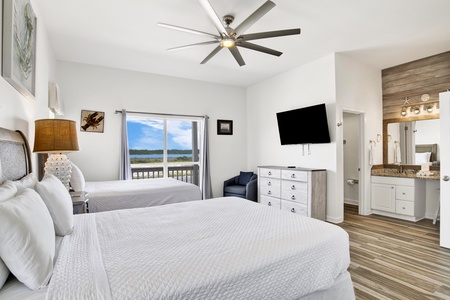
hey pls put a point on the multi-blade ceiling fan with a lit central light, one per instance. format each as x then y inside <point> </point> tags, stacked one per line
<point>232,38</point>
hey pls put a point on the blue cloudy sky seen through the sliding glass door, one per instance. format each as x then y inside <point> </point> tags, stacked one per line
<point>144,133</point>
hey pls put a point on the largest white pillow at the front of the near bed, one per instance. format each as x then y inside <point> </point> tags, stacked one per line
<point>27,239</point>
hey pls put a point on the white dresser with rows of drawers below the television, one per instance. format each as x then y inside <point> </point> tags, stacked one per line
<point>299,190</point>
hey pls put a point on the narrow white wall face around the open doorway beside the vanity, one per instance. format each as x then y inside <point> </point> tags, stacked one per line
<point>359,90</point>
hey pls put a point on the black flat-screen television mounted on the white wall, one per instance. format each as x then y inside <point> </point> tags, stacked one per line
<point>307,125</point>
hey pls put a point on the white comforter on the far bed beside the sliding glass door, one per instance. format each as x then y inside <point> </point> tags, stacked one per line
<point>123,194</point>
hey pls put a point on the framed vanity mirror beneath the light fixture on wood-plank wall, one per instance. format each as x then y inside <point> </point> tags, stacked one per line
<point>411,142</point>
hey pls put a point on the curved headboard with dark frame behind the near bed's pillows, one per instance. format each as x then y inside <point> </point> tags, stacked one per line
<point>15,160</point>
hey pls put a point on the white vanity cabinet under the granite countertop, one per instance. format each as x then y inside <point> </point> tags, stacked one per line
<point>402,198</point>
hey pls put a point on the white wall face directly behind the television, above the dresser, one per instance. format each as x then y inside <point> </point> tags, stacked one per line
<point>310,84</point>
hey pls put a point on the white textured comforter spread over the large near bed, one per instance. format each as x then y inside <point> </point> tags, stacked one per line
<point>223,248</point>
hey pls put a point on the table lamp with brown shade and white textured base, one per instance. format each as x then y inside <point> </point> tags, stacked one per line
<point>56,137</point>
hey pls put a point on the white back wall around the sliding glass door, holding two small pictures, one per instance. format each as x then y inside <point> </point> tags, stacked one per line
<point>105,89</point>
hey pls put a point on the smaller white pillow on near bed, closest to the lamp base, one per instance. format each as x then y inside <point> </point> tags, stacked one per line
<point>59,203</point>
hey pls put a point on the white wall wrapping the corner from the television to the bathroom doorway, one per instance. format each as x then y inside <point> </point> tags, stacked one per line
<point>344,85</point>
